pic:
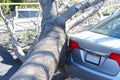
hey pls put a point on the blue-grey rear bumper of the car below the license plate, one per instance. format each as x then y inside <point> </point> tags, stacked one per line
<point>86,73</point>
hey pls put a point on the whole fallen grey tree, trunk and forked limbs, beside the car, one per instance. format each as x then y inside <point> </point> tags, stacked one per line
<point>43,58</point>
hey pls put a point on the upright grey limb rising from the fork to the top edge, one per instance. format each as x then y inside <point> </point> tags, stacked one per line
<point>48,11</point>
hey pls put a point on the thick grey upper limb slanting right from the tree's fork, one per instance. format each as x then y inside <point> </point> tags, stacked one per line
<point>72,10</point>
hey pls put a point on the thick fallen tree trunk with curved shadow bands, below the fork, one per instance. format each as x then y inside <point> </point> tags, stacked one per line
<point>45,56</point>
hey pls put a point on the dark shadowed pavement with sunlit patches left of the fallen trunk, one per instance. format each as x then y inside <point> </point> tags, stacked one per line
<point>8,65</point>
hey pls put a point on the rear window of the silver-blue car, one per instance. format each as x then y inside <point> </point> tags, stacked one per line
<point>110,29</point>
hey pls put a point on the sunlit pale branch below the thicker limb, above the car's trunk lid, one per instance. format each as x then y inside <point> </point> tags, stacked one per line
<point>83,16</point>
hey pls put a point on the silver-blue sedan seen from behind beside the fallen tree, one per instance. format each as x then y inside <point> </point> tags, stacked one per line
<point>95,54</point>
